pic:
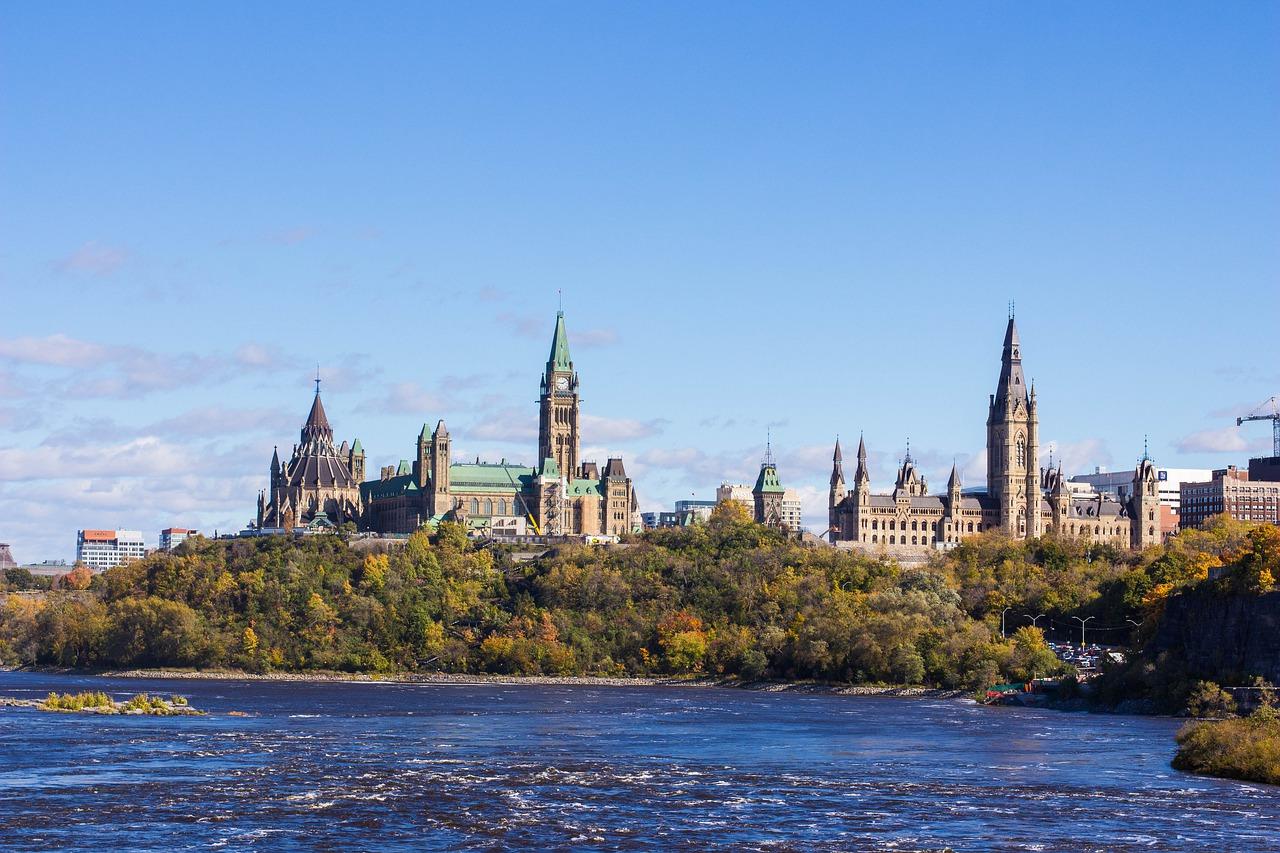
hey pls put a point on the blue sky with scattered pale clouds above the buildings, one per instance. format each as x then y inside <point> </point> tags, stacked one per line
<point>766,222</point>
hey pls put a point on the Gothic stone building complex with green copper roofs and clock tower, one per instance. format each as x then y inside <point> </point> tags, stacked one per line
<point>563,496</point>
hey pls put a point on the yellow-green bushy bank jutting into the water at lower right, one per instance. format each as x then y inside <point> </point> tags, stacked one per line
<point>1246,749</point>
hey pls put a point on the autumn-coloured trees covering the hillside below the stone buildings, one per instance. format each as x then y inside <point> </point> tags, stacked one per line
<point>728,599</point>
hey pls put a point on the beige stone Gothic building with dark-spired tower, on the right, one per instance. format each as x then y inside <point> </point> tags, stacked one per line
<point>1021,500</point>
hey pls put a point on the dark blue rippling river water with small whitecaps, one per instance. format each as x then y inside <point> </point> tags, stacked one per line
<point>399,767</point>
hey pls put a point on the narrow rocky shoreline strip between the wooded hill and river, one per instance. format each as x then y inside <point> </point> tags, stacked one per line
<point>815,688</point>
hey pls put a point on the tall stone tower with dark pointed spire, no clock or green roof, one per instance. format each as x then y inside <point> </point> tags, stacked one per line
<point>1013,445</point>
